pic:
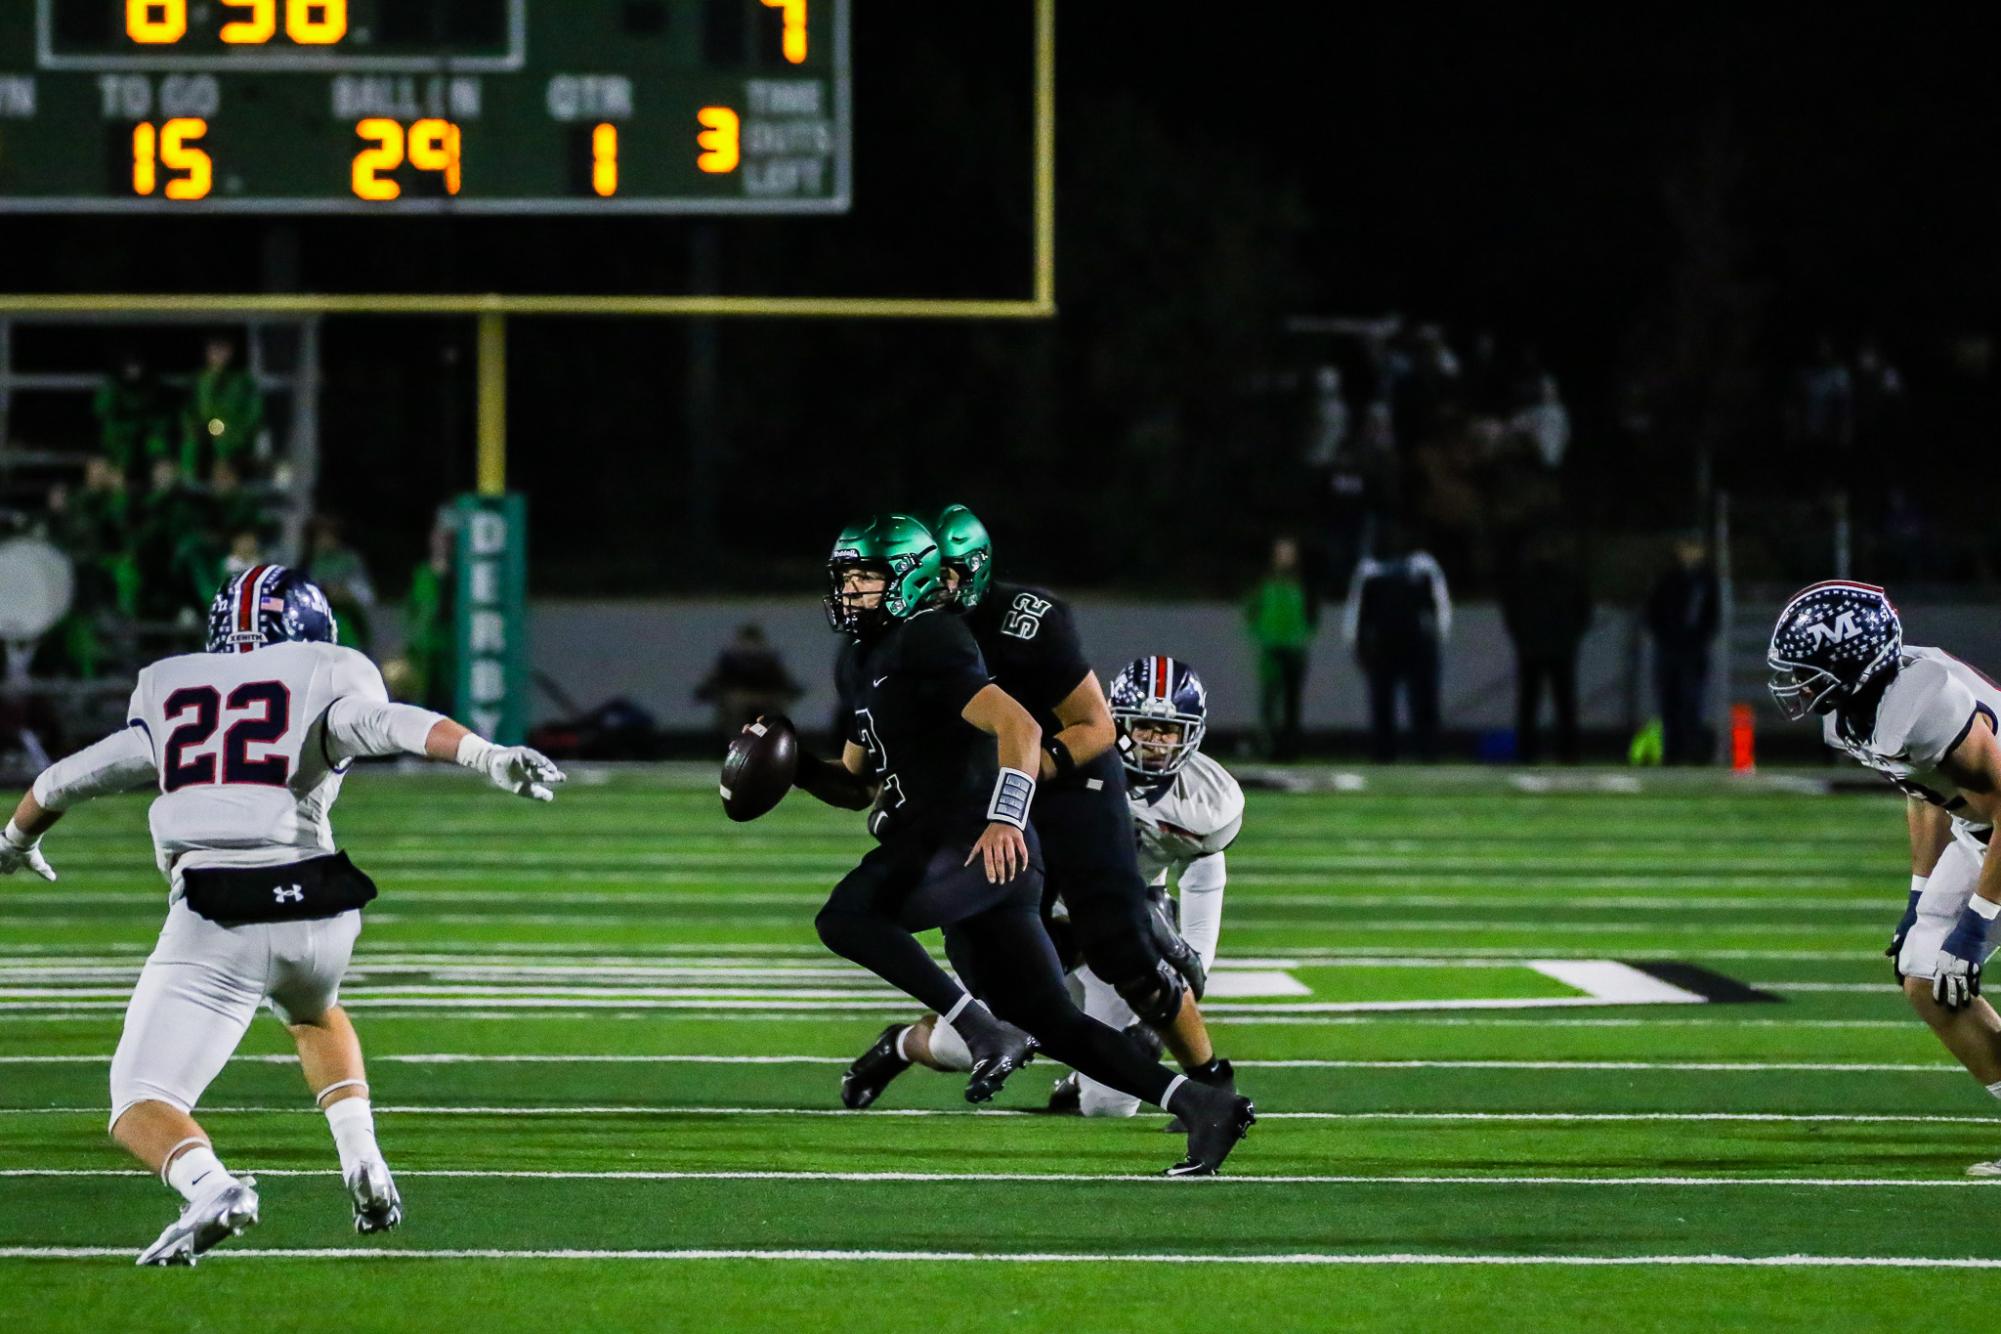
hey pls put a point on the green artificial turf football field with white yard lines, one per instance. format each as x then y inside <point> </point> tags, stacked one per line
<point>605,1051</point>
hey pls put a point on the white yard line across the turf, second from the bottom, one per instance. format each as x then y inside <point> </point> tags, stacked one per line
<point>1094,1179</point>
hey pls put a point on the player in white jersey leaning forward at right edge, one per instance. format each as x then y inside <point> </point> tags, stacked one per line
<point>1926,721</point>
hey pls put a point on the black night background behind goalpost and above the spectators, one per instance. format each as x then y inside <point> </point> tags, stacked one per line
<point>1590,183</point>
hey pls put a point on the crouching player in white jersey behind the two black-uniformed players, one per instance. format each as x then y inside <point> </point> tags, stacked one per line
<point>1186,813</point>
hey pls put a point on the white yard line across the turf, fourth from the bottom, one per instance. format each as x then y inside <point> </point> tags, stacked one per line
<point>659,1059</point>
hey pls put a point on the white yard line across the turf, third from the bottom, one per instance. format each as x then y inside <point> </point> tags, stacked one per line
<point>1774,1119</point>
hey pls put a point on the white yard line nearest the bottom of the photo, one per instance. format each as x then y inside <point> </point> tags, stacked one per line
<point>1062,1257</point>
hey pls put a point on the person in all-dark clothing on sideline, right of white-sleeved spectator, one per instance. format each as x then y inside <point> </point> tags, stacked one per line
<point>1546,605</point>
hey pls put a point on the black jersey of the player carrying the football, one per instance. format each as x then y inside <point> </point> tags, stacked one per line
<point>903,695</point>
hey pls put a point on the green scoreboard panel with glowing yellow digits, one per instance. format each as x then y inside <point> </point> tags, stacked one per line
<point>431,107</point>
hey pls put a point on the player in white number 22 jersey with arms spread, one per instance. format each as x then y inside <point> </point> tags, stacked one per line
<point>249,745</point>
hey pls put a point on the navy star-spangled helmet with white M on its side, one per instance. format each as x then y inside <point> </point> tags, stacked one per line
<point>1832,641</point>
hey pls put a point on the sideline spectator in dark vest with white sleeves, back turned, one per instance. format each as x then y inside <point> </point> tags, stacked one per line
<point>1398,621</point>
